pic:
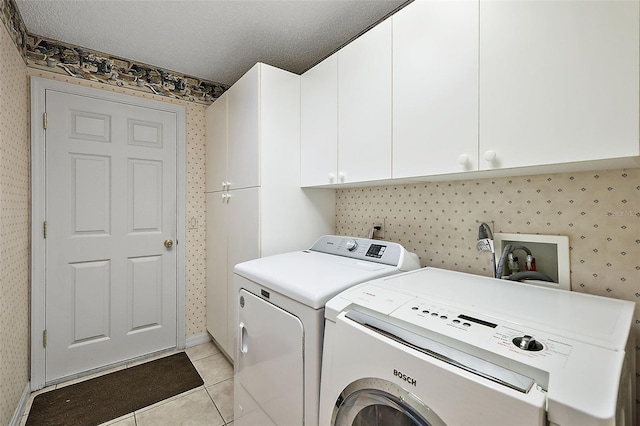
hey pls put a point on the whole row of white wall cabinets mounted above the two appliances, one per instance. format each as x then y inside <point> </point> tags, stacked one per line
<point>493,87</point>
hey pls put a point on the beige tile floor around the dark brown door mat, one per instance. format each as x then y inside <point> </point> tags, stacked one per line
<point>210,404</point>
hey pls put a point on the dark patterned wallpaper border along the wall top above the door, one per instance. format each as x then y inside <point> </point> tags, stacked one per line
<point>67,59</point>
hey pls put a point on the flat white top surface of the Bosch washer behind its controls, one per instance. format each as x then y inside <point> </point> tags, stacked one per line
<point>591,319</point>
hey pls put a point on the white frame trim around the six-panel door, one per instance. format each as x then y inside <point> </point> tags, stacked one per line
<point>38,192</point>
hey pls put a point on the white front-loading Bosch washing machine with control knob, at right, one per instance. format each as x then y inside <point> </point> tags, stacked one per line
<point>436,347</point>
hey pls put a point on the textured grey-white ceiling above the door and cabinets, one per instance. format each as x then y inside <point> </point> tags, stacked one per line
<point>218,40</point>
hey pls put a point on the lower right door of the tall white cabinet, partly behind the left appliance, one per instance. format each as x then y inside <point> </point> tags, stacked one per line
<point>243,244</point>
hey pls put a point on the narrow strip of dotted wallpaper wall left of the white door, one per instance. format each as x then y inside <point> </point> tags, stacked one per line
<point>14,227</point>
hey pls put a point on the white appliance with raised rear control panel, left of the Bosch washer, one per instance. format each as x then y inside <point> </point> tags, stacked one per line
<point>280,315</point>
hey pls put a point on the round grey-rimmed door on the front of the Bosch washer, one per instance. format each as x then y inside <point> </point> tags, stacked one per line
<point>374,402</point>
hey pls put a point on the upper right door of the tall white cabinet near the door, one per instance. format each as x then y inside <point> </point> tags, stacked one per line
<point>243,137</point>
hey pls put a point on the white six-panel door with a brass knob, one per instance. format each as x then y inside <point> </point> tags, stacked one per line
<point>110,283</point>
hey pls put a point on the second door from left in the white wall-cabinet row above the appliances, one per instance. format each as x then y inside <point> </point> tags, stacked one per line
<point>364,107</point>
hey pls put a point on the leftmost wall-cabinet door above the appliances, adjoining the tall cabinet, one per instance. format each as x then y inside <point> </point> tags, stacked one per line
<point>319,124</point>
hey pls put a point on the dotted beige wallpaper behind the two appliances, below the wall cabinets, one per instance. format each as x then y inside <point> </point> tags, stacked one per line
<point>598,211</point>
